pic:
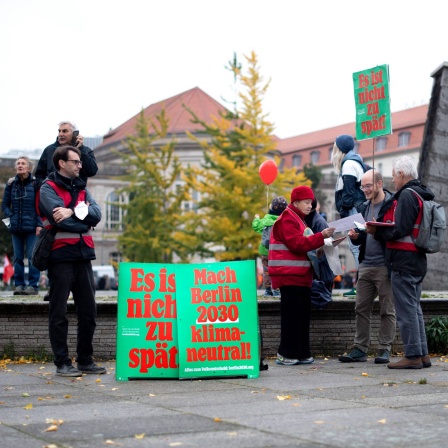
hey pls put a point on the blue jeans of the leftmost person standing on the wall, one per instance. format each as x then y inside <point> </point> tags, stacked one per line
<point>19,241</point>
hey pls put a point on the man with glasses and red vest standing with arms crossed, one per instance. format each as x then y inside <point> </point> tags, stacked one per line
<point>65,202</point>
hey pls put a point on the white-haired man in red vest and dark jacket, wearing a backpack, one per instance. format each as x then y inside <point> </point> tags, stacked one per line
<point>407,263</point>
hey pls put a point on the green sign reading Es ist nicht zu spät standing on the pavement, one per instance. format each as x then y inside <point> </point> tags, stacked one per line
<point>146,322</point>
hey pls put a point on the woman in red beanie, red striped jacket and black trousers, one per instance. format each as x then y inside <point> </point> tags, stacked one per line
<point>291,271</point>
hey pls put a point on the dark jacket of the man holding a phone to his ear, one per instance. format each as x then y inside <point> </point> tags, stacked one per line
<point>45,165</point>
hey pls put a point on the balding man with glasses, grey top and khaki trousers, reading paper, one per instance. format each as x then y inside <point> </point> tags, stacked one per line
<point>373,276</point>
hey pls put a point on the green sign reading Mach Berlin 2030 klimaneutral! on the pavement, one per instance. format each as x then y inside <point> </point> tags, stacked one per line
<point>218,320</point>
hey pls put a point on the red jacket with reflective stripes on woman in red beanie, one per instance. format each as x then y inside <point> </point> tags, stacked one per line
<point>288,263</point>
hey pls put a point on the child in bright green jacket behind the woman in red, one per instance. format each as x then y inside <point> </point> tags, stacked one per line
<point>276,208</point>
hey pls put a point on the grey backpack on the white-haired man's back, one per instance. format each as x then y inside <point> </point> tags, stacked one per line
<point>432,229</point>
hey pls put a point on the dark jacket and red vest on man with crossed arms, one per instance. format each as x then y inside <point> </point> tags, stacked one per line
<point>74,241</point>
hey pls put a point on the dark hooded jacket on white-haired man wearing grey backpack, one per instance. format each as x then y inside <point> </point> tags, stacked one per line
<point>398,256</point>
